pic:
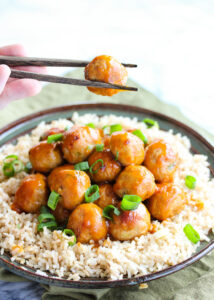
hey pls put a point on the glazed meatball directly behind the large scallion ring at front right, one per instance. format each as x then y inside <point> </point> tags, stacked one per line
<point>135,180</point>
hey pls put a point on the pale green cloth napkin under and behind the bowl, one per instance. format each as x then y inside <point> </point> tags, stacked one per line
<point>194,282</point>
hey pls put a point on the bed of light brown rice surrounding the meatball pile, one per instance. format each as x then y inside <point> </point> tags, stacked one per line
<point>49,251</point>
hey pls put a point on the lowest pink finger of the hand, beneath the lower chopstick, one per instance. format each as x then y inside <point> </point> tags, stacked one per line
<point>19,89</point>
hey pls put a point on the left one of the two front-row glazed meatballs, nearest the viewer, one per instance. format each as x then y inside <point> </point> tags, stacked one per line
<point>87,223</point>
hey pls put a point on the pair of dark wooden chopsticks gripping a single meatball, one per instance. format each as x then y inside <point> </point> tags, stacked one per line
<point>14,61</point>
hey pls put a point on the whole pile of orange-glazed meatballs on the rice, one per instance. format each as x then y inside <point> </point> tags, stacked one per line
<point>129,168</point>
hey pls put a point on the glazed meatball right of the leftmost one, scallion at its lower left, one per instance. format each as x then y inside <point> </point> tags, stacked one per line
<point>71,185</point>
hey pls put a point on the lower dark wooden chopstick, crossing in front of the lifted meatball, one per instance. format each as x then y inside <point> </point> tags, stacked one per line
<point>66,80</point>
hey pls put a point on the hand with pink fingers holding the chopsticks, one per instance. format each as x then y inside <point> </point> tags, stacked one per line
<point>13,89</point>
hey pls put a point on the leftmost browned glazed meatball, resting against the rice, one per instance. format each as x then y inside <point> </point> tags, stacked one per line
<point>31,194</point>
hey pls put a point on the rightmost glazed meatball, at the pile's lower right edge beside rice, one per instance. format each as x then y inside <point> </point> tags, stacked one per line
<point>168,201</point>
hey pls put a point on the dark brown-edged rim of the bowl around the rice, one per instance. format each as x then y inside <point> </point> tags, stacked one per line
<point>92,282</point>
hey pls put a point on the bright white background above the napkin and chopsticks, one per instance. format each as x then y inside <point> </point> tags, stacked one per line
<point>170,40</point>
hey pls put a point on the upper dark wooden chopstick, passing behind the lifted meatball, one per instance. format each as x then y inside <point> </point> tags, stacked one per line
<point>14,61</point>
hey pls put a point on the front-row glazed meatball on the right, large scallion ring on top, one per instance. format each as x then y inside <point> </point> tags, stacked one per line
<point>130,224</point>
